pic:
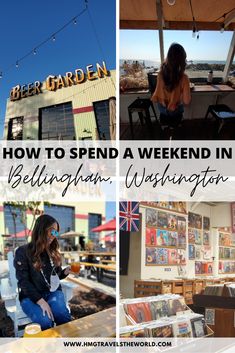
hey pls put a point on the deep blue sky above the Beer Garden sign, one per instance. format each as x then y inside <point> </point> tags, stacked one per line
<point>24,24</point>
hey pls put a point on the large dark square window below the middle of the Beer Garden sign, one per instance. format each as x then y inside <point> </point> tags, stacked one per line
<point>57,123</point>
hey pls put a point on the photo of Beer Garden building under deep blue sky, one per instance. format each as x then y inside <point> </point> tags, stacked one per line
<point>58,70</point>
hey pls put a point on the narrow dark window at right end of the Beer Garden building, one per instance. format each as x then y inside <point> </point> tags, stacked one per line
<point>101,110</point>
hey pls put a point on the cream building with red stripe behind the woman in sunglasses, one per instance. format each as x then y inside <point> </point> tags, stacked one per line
<point>78,217</point>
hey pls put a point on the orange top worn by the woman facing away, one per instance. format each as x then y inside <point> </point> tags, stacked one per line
<point>171,100</point>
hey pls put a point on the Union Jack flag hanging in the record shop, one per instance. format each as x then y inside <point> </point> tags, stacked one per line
<point>129,216</point>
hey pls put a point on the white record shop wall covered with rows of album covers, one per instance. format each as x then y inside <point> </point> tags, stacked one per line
<point>180,240</point>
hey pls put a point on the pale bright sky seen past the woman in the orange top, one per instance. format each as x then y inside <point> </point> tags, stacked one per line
<point>145,44</point>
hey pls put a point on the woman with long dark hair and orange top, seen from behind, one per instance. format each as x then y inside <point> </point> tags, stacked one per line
<point>173,88</point>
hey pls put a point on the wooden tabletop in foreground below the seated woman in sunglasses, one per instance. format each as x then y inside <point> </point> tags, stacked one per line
<point>101,324</point>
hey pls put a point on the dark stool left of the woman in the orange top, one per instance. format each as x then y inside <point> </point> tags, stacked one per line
<point>142,107</point>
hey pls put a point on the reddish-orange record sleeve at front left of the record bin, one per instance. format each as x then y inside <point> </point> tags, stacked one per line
<point>139,312</point>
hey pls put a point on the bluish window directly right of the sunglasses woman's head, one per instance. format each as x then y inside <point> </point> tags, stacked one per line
<point>64,215</point>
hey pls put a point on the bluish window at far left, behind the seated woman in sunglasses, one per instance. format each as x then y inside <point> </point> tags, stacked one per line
<point>13,220</point>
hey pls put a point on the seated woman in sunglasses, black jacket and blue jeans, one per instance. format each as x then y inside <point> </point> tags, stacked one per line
<point>38,271</point>
